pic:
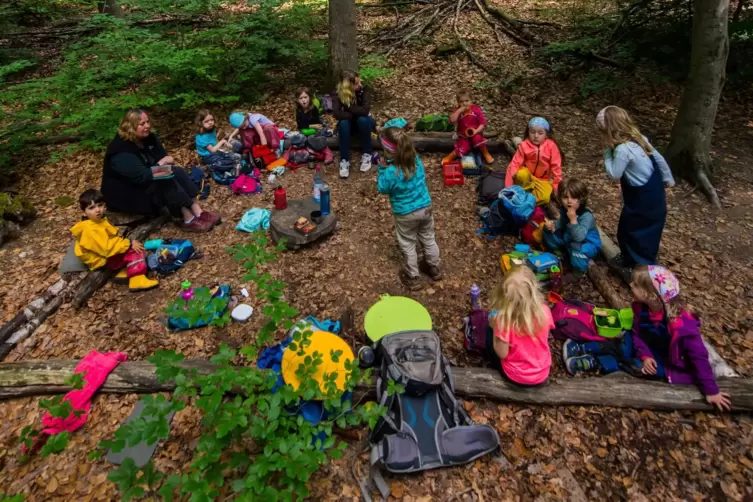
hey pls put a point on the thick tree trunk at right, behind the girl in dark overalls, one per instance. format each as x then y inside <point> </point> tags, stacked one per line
<point>688,150</point>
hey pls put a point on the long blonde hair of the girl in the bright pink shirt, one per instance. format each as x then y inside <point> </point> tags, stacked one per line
<point>519,303</point>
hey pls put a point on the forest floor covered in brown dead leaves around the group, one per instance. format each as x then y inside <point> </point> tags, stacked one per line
<point>574,453</point>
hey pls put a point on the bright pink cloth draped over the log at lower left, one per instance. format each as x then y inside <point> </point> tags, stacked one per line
<point>97,367</point>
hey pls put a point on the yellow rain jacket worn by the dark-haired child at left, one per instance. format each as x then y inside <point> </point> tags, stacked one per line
<point>96,241</point>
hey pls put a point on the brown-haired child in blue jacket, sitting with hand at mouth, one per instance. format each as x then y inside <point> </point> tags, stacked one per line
<point>574,231</point>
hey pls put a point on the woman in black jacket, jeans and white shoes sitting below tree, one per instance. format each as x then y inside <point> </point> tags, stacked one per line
<point>351,106</point>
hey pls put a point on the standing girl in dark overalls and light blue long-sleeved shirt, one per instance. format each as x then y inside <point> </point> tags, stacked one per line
<point>642,172</point>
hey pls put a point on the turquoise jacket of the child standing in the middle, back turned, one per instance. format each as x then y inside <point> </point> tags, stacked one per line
<point>406,196</point>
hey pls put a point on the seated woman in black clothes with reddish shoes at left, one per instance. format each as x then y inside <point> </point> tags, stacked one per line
<point>130,184</point>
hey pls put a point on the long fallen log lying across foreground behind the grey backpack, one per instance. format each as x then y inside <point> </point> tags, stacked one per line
<point>30,378</point>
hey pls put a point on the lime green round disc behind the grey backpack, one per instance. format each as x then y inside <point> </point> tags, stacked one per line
<point>395,313</point>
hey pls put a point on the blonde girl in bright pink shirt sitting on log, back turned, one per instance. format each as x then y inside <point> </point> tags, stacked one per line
<point>520,323</point>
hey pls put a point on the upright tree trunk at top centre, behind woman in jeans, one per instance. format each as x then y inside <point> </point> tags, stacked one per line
<point>343,44</point>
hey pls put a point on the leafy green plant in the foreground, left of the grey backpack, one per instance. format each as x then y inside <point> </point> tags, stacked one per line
<point>253,441</point>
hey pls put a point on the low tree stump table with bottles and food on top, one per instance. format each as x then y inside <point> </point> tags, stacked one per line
<point>282,223</point>
